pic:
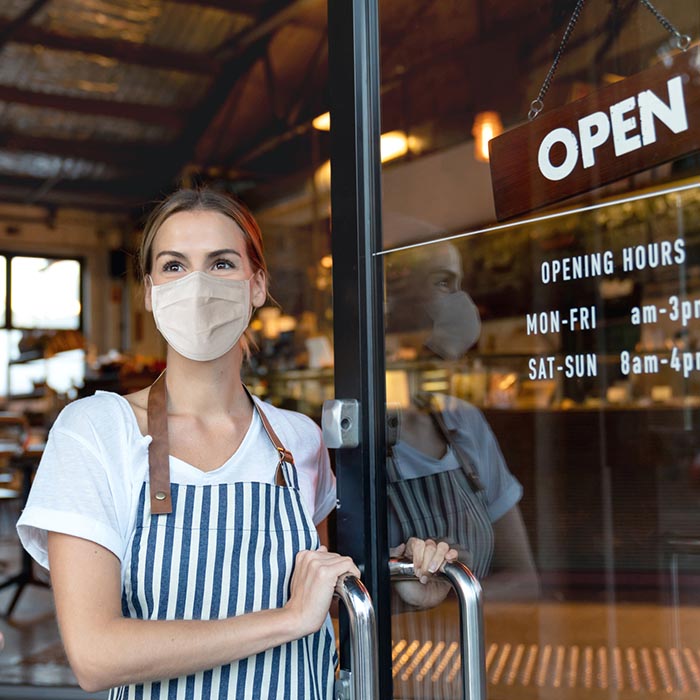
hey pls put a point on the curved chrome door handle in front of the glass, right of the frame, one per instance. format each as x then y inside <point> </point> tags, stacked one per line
<point>471,616</point>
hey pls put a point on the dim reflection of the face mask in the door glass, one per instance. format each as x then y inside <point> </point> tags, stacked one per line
<point>456,325</point>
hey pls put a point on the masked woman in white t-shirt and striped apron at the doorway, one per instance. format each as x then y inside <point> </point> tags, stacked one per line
<point>180,522</point>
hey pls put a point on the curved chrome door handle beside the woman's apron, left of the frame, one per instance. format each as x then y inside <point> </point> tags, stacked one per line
<point>361,682</point>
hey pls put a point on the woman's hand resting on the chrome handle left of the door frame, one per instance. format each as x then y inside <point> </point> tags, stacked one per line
<point>315,575</point>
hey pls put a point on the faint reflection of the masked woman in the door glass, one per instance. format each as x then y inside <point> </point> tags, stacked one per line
<point>448,480</point>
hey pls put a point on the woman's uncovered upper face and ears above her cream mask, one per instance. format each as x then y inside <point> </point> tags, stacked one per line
<point>202,241</point>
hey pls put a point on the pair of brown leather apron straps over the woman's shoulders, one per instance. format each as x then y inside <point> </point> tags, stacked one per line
<point>159,449</point>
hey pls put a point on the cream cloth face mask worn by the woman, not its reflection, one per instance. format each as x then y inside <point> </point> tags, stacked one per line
<point>201,316</point>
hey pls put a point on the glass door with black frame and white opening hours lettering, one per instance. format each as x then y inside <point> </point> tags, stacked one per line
<point>540,377</point>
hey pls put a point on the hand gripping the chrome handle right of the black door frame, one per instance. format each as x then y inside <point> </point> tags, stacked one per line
<point>428,557</point>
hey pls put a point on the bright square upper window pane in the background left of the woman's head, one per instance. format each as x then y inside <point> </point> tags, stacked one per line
<point>45,293</point>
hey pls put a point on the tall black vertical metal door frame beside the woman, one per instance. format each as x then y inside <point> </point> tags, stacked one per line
<point>354,80</point>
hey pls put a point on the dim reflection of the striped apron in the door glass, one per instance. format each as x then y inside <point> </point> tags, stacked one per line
<point>443,506</point>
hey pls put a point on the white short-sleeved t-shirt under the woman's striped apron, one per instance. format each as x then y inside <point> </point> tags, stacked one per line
<point>96,460</point>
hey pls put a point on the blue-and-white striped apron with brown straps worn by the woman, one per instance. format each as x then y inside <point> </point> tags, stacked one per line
<point>215,551</point>
